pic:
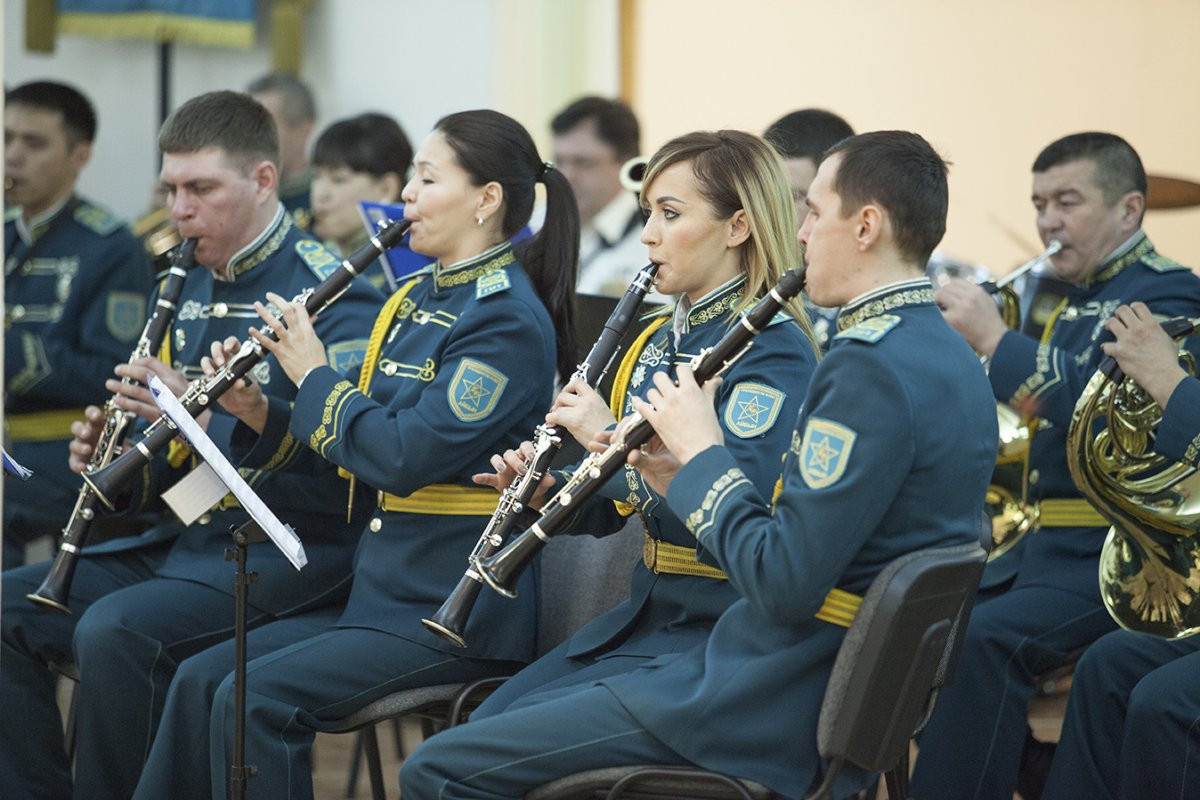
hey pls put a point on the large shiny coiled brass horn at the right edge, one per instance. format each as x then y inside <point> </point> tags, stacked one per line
<point>1150,564</point>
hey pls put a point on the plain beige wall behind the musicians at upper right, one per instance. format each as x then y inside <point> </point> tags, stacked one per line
<point>989,85</point>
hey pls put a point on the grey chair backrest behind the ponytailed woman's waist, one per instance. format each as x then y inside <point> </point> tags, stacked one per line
<point>583,578</point>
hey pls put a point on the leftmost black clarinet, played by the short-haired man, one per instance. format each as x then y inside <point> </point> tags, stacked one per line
<point>56,590</point>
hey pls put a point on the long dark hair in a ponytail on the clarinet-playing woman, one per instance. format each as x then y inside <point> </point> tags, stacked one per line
<point>493,147</point>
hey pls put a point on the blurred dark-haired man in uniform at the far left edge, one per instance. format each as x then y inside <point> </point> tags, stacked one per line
<point>76,286</point>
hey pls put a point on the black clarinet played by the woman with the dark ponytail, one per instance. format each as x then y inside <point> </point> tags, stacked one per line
<point>110,482</point>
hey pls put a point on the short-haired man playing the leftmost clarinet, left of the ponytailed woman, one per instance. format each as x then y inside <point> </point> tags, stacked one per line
<point>143,604</point>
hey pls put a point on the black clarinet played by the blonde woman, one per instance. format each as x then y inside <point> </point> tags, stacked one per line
<point>451,621</point>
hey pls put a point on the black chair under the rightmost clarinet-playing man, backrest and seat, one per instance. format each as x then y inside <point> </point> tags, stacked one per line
<point>899,652</point>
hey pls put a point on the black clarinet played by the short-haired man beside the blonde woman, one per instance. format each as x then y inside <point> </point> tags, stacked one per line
<point>503,570</point>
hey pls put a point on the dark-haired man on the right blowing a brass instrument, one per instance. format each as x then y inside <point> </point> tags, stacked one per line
<point>1089,193</point>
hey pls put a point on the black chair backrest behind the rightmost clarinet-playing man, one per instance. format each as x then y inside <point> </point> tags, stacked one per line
<point>899,651</point>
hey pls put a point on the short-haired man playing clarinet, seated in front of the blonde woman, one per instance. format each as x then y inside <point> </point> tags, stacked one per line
<point>898,412</point>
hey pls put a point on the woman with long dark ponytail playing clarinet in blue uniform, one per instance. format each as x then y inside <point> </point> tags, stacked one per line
<point>460,364</point>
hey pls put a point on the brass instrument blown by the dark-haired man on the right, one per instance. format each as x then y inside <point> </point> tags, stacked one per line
<point>1012,515</point>
